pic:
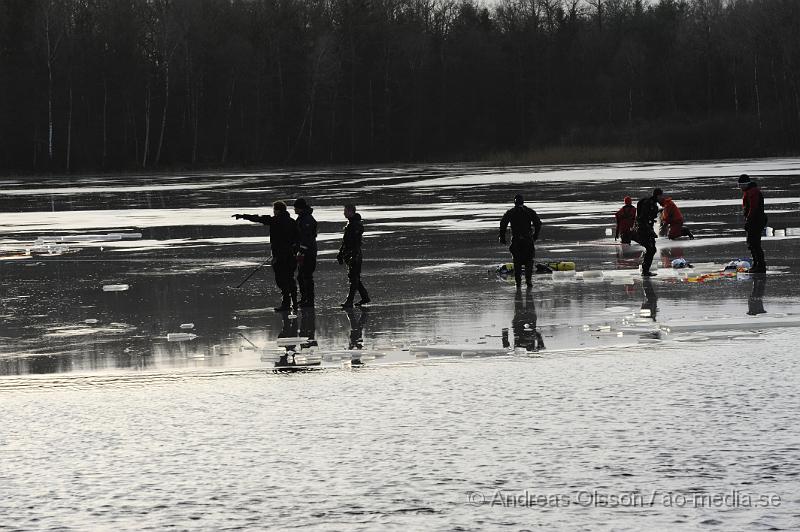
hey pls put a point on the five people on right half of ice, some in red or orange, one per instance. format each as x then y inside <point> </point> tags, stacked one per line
<point>636,224</point>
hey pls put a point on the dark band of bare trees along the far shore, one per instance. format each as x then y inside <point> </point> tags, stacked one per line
<point>98,84</point>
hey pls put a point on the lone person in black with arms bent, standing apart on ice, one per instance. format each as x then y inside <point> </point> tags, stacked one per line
<point>525,228</point>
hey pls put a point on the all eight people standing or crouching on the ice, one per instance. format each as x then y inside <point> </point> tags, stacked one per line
<point>294,242</point>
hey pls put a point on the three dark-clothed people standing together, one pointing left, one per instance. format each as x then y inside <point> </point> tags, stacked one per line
<point>294,248</point>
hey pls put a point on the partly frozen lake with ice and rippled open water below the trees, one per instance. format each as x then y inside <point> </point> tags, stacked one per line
<point>671,387</point>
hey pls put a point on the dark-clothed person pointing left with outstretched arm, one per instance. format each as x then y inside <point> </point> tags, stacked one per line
<point>283,241</point>
